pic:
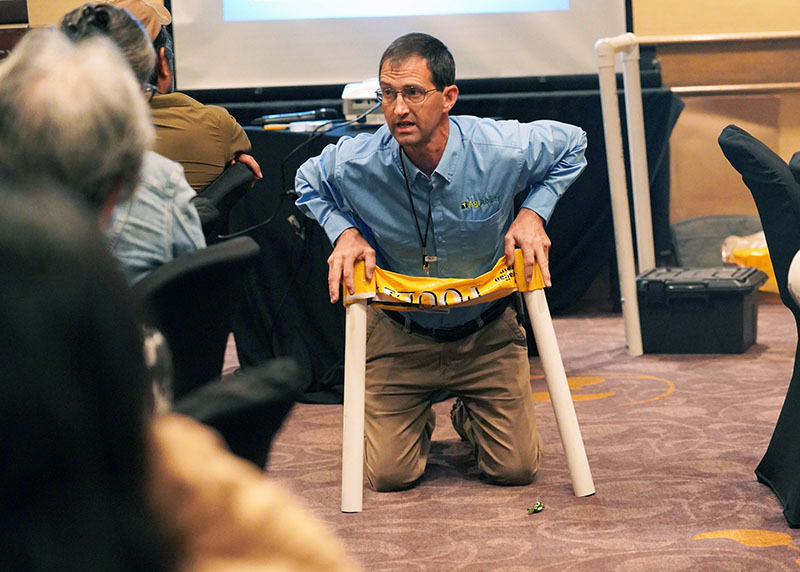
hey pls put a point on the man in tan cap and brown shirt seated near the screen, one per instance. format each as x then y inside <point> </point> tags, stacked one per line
<point>202,138</point>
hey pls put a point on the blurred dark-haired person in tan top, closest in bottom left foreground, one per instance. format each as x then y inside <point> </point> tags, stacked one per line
<point>91,480</point>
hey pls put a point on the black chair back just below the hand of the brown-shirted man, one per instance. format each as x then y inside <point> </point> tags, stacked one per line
<point>214,203</point>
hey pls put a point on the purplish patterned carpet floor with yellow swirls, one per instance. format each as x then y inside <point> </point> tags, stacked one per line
<point>672,441</point>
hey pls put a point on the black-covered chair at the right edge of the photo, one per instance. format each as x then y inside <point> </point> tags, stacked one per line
<point>777,197</point>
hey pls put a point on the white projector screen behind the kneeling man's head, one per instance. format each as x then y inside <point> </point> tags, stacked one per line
<point>231,44</point>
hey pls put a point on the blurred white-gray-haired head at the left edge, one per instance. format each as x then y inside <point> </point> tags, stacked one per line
<point>73,113</point>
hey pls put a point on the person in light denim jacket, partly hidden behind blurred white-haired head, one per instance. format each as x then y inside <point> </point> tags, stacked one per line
<point>159,222</point>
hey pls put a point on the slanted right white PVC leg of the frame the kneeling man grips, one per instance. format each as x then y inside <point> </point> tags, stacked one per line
<point>560,396</point>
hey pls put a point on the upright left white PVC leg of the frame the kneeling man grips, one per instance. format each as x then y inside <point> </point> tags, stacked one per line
<point>355,343</point>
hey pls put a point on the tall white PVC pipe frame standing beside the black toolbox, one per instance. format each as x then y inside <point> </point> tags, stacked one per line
<point>606,49</point>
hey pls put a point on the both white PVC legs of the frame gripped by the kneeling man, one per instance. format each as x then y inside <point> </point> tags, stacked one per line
<point>355,380</point>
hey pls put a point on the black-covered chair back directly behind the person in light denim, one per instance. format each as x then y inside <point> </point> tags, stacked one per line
<point>191,300</point>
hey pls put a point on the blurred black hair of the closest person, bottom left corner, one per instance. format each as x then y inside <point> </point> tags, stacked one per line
<point>76,398</point>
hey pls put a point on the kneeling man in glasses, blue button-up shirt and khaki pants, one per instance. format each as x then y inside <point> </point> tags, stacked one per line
<point>432,194</point>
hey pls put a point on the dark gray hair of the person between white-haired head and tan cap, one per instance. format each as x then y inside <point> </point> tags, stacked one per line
<point>121,27</point>
